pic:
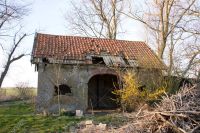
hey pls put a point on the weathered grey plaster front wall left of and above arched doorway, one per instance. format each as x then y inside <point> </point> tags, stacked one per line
<point>76,77</point>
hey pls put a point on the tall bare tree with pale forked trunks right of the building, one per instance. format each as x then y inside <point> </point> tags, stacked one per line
<point>172,24</point>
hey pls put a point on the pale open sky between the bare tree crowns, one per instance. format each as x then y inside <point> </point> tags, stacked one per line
<point>47,16</point>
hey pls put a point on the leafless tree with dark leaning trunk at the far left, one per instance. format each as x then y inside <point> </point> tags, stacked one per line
<point>11,13</point>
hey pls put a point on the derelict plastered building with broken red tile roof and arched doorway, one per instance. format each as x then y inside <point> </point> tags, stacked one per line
<point>84,70</point>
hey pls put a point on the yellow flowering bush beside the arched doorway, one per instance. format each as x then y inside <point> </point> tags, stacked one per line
<point>130,96</point>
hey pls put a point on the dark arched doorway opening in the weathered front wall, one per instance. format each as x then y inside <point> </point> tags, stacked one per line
<point>100,88</point>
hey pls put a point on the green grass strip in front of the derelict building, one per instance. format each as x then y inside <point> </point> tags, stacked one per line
<point>18,116</point>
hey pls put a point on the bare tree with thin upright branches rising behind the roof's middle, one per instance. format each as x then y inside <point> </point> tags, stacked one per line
<point>96,18</point>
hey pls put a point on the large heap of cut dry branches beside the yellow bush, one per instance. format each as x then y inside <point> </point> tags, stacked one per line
<point>179,113</point>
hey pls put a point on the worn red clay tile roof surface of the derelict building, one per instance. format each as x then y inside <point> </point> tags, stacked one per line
<point>76,48</point>
